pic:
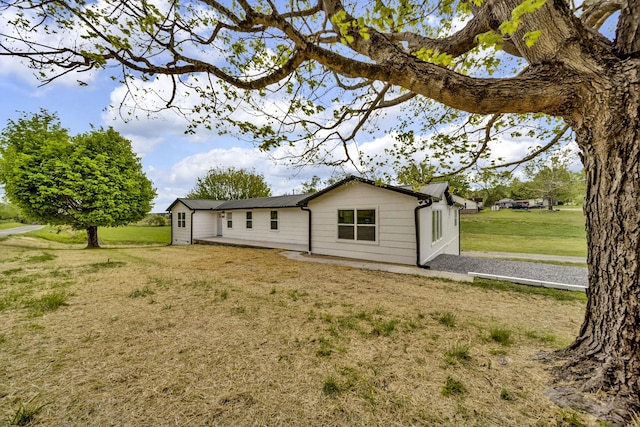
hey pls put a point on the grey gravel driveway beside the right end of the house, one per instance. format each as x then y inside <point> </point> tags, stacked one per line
<point>576,276</point>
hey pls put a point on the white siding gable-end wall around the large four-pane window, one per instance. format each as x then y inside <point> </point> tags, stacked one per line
<point>395,227</point>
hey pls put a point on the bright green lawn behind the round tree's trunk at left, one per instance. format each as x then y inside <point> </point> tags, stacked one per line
<point>133,234</point>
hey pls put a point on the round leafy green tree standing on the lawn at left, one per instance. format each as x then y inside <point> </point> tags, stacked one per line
<point>85,181</point>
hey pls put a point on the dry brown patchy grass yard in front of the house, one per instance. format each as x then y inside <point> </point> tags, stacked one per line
<point>205,335</point>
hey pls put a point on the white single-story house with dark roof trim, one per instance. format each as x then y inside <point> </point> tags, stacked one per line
<point>353,218</point>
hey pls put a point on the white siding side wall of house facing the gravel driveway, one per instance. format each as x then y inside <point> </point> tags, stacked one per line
<point>449,242</point>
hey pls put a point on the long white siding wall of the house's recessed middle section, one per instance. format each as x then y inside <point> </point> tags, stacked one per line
<point>293,225</point>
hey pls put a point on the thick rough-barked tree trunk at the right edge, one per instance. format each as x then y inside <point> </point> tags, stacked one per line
<point>605,358</point>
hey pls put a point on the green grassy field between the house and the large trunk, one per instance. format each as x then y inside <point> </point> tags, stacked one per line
<point>535,231</point>
